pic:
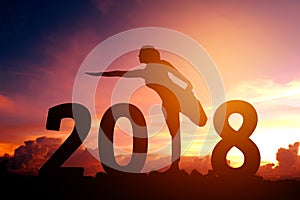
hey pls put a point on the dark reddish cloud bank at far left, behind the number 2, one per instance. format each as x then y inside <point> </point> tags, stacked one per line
<point>29,158</point>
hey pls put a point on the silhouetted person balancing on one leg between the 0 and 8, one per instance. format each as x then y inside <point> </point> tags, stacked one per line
<point>162,77</point>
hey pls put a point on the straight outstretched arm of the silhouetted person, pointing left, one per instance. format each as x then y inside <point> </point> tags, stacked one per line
<point>127,74</point>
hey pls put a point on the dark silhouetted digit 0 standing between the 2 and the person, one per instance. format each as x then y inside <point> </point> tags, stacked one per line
<point>106,134</point>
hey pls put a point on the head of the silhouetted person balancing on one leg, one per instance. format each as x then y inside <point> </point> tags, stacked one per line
<point>148,54</point>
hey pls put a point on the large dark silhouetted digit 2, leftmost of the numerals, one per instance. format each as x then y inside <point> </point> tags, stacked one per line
<point>82,119</point>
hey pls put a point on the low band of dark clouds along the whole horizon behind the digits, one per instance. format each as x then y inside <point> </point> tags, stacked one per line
<point>28,159</point>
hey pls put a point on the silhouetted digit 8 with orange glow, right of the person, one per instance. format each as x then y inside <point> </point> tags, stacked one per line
<point>239,139</point>
